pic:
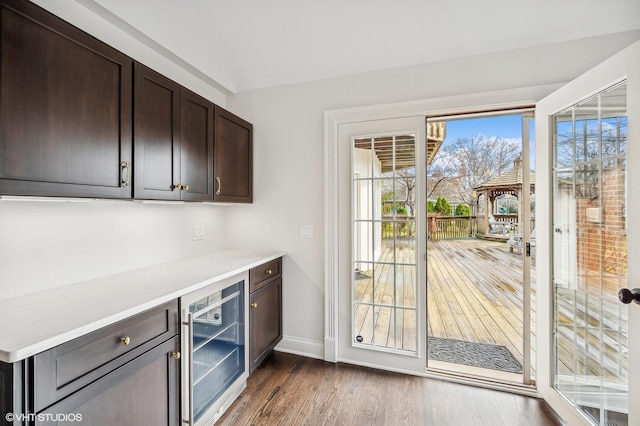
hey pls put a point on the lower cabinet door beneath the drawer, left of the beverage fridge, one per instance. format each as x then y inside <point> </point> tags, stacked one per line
<point>144,391</point>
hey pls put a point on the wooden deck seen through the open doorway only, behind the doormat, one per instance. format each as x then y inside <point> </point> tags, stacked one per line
<point>475,293</point>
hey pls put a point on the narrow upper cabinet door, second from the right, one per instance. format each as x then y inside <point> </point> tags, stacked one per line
<point>196,166</point>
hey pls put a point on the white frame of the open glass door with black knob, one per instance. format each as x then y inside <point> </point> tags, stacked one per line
<point>623,65</point>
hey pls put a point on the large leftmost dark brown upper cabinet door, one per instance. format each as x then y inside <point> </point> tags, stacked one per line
<point>65,109</point>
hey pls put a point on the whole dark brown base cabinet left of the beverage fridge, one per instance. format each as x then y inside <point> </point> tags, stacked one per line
<point>127,373</point>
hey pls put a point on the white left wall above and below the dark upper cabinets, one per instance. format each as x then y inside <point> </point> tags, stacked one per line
<point>47,244</point>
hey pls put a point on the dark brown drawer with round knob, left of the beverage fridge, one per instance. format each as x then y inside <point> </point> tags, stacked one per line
<point>72,365</point>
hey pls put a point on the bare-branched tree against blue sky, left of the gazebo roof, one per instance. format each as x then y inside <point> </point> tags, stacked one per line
<point>469,162</point>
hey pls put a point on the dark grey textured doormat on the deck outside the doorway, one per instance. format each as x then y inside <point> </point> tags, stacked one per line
<point>482,355</point>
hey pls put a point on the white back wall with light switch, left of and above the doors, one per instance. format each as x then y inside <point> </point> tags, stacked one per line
<point>288,152</point>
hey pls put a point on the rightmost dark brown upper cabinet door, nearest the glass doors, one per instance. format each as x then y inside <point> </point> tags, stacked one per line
<point>233,158</point>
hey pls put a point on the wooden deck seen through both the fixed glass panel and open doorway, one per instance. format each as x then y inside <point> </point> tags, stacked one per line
<point>474,294</point>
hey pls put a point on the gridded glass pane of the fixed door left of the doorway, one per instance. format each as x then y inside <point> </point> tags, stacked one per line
<point>384,227</point>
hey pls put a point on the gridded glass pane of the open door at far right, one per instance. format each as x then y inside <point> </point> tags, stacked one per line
<point>590,256</point>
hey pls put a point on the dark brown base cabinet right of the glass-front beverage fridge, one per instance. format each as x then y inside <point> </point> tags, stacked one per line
<point>265,312</point>
